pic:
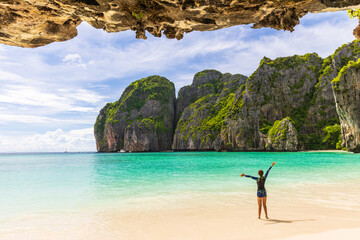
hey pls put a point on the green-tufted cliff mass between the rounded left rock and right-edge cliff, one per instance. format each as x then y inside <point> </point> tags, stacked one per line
<point>212,117</point>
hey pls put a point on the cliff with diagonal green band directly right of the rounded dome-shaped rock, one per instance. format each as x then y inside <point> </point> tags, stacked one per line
<point>206,102</point>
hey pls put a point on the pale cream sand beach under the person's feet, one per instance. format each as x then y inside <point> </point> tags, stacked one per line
<point>304,212</point>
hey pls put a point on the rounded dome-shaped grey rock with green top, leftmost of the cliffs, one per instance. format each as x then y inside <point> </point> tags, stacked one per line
<point>142,120</point>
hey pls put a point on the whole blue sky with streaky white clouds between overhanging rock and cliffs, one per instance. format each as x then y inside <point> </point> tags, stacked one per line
<point>50,96</point>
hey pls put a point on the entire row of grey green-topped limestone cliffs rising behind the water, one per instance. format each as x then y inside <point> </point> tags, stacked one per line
<point>288,104</point>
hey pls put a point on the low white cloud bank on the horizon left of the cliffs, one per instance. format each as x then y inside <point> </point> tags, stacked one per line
<point>51,141</point>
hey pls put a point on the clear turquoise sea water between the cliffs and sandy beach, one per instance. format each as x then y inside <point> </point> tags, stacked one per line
<point>32,183</point>
